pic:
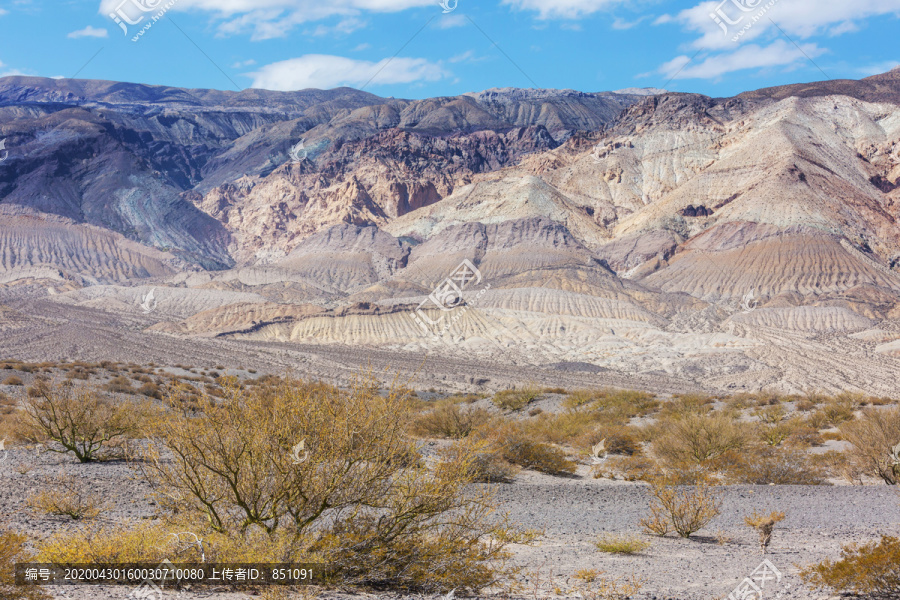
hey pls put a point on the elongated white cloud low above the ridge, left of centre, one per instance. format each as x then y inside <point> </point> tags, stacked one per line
<point>326,71</point>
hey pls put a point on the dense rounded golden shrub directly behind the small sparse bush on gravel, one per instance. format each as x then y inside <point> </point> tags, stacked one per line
<point>694,438</point>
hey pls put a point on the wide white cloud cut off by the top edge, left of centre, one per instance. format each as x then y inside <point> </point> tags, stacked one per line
<point>266,19</point>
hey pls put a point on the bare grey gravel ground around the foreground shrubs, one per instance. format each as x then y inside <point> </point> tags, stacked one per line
<point>572,512</point>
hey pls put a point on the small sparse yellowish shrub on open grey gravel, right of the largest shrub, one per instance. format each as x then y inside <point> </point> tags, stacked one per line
<point>683,509</point>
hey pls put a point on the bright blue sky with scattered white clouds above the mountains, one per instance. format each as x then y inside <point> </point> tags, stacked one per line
<point>419,48</point>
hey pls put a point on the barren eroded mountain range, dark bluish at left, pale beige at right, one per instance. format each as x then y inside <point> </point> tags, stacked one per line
<point>737,243</point>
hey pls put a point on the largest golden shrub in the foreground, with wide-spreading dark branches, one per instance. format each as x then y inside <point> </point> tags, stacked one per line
<point>354,494</point>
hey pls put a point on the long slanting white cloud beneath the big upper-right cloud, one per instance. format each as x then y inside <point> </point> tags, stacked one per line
<point>748,56</point>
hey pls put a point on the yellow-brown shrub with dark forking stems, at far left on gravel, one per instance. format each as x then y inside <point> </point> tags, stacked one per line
<point>79,420</point>
